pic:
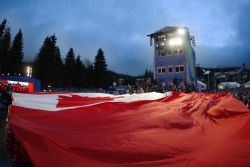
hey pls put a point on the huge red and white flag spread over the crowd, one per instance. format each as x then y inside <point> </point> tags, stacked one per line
<point>147,130</point>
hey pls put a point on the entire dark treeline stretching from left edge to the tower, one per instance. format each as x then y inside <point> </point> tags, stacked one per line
<point>52,70</point>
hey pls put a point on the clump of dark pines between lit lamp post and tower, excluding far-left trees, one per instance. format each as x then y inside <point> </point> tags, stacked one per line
<point>70,72</point>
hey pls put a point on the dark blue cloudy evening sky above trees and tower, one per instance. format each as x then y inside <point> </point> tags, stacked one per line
<point>120,28</point>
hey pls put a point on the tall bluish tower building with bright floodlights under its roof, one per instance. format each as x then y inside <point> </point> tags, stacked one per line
<point>174,56</point>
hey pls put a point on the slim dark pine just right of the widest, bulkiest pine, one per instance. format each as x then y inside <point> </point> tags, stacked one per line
<point>69,67</point>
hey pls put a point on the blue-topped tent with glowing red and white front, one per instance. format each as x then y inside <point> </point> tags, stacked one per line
<point>21,83</point>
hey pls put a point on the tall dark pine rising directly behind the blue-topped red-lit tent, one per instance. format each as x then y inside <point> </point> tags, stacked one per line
<point>16,54</point>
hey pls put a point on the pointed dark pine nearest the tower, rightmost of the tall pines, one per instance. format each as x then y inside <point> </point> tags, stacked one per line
<point>100,70</point>
